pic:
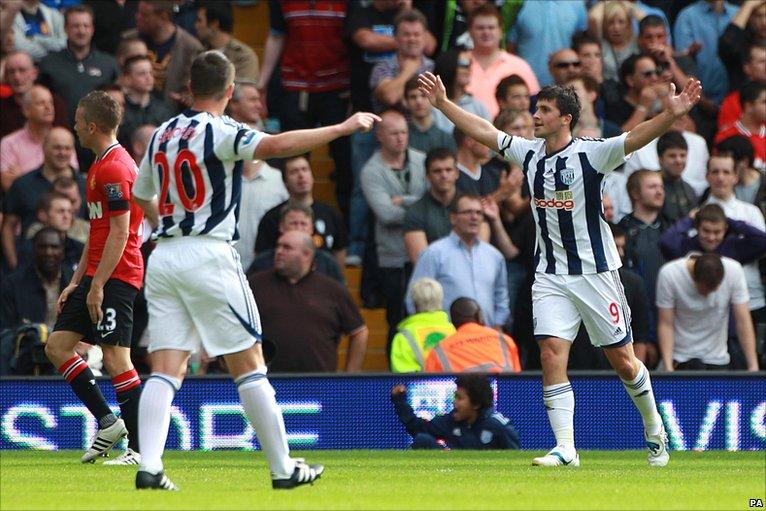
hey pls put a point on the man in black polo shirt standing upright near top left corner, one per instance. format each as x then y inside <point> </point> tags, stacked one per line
<point>79,68</point>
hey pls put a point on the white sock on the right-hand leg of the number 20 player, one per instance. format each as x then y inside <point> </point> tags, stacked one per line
<point>258,400</point>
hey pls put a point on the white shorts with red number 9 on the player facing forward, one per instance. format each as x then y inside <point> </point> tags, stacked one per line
<point>560,302</point>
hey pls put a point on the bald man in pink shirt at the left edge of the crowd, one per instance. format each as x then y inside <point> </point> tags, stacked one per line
<point>22,151</point>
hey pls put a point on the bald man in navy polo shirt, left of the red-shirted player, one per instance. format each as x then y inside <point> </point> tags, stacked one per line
<point>58,152</point>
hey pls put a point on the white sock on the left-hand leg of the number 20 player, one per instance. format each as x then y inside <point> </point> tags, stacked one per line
<point>154,419</point>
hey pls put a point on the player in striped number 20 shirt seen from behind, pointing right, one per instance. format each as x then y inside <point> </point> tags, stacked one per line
<point>189,183</point>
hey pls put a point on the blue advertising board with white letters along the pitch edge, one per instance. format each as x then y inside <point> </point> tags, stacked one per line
<point>701,411</point>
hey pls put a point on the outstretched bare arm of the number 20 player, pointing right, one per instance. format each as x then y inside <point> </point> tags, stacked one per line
<point>295,142</point>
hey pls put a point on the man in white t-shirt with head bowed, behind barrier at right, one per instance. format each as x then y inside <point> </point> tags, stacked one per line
<point>694,295</point>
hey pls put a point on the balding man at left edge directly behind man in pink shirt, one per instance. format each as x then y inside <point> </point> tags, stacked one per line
<point>20,74</point>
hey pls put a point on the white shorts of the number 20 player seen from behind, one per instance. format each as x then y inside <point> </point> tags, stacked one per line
<point>197,294</point>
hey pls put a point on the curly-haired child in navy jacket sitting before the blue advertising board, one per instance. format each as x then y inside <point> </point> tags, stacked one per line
<point>472,424</point>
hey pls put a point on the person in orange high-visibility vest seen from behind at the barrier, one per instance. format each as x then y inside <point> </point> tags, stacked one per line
<point>474,347</point>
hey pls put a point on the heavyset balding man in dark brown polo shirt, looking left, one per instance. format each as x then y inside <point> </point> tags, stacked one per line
<point>324,306</point>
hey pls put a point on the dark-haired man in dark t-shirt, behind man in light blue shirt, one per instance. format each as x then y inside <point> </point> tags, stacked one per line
<point>427,220</point>
